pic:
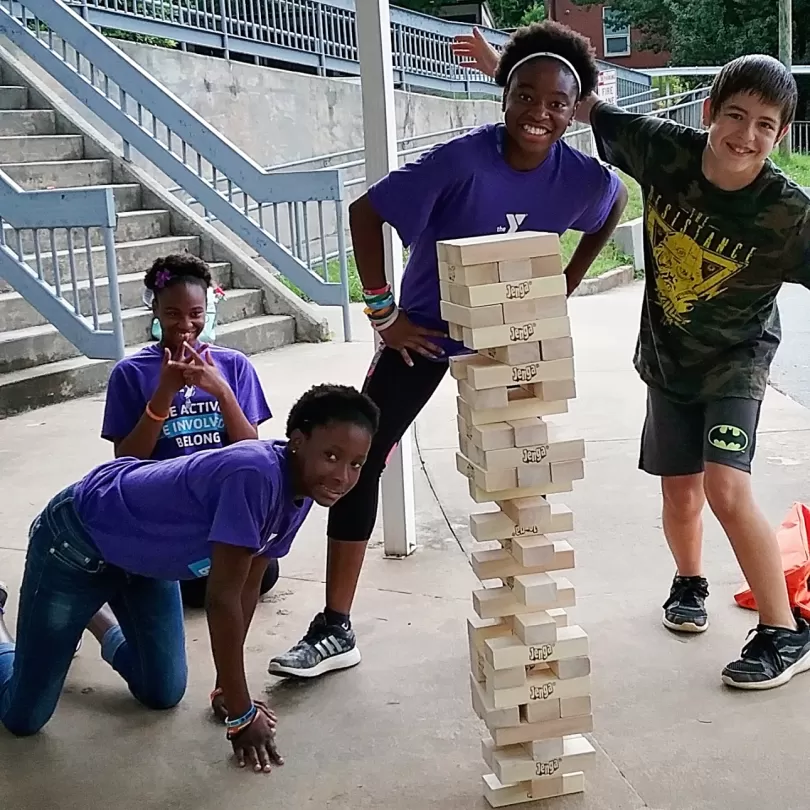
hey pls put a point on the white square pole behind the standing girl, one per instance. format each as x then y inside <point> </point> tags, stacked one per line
<point>380,134</point>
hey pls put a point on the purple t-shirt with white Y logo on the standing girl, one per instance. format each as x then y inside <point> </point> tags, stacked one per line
<point>466,188</point>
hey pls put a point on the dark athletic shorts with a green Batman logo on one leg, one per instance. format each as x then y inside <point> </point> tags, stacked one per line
<point>678,439</point>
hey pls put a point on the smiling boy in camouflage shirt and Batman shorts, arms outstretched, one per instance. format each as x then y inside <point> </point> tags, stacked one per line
<point>723,229</point>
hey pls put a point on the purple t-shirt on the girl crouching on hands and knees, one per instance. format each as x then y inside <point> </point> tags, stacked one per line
<point>158,518</point>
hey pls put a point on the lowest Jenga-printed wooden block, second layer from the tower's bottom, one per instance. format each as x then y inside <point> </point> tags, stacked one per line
<point>514,764</point>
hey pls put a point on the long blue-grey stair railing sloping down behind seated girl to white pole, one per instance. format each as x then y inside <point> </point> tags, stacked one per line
<point>228,184</point>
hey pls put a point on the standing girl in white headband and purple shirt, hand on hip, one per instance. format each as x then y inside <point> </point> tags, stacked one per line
<point>515,176</point>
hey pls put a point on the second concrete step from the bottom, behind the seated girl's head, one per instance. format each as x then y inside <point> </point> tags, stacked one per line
<point>37,345</point>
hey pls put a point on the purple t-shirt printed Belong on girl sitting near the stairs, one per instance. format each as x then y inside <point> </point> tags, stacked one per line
<point>195,421</point>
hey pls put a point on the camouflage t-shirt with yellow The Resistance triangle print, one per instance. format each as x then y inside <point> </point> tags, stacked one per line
<point>714,259</point>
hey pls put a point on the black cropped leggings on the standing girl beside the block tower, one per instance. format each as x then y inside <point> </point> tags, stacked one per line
<point>400,392</point>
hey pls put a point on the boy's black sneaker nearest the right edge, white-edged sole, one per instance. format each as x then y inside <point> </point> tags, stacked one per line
<point>771,658</point>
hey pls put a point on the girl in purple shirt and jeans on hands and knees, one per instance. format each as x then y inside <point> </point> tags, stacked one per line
<point>130,526</point>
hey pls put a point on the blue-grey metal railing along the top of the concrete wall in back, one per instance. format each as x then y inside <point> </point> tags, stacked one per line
<point>316,35</point>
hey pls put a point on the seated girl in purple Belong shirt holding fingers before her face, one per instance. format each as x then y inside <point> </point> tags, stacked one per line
<point>209,397</point>
